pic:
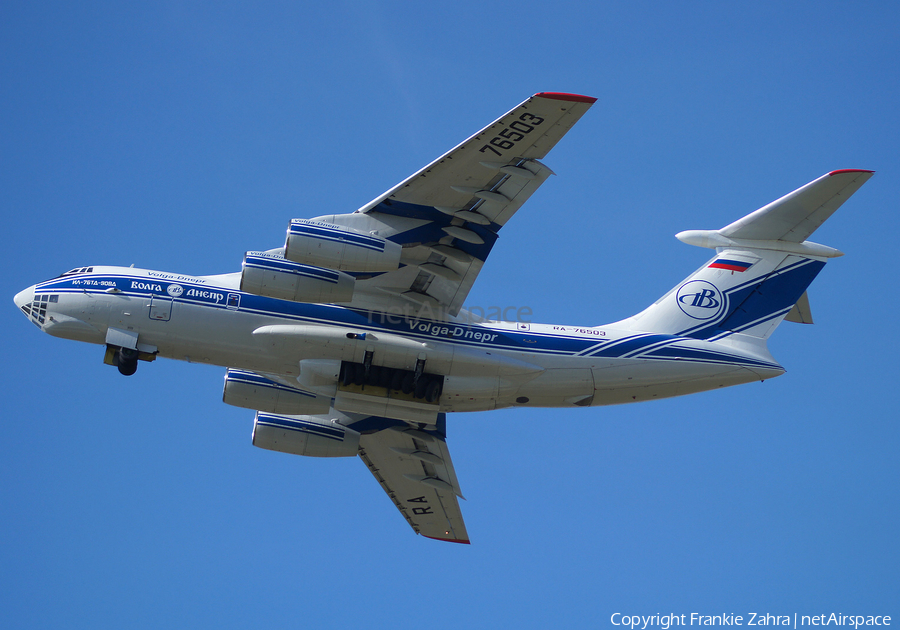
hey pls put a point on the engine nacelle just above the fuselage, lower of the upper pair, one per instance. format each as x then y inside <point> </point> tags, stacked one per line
<point>273,276</point>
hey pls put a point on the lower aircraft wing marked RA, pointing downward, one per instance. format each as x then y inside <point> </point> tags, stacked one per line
<point>415,470</point>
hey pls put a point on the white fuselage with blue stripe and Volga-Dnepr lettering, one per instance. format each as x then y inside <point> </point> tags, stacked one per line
<point>485,365</point>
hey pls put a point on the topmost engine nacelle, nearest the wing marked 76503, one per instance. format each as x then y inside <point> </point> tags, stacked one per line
<point>336,247</point>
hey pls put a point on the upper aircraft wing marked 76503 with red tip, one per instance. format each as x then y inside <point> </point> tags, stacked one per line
<point>447,215</point>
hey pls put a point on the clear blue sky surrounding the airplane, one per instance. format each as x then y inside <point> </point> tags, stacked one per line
<point>177,136</point>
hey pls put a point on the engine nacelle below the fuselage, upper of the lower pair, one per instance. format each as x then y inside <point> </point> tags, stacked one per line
<point>252,391</point>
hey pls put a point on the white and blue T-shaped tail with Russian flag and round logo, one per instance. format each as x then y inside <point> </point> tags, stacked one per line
<point>762,267</point>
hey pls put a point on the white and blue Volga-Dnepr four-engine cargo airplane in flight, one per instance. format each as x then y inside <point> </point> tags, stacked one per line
<point>352,340</point>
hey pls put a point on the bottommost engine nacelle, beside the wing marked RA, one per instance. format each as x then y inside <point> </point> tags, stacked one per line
<point>313,436</point>
